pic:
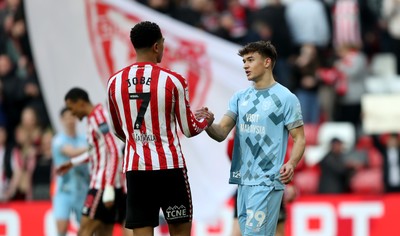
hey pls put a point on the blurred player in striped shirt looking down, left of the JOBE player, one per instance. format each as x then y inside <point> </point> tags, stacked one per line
<point>105,201</point>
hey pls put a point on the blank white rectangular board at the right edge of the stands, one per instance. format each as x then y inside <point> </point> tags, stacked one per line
<point>380,113</point>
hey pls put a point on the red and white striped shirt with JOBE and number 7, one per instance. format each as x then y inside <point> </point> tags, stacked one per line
<point>146,103</point>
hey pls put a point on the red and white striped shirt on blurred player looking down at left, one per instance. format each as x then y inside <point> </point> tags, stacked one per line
<point>103,151</point>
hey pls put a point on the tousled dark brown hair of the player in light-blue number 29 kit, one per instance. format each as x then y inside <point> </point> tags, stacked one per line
<point>264,48</point>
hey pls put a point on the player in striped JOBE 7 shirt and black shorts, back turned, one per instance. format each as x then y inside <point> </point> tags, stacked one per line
<point>147,103</point>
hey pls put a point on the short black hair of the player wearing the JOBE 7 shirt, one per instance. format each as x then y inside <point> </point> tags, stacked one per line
<point>145,34</point>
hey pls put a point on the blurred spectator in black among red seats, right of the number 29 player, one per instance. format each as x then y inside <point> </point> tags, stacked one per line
<point>336,170</point>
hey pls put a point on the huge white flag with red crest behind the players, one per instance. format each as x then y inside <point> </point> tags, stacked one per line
<point>81,43</point>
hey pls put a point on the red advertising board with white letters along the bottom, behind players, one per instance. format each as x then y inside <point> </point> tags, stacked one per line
<point>317,215</point>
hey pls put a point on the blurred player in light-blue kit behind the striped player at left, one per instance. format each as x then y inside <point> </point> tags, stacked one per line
<point>72,187</point>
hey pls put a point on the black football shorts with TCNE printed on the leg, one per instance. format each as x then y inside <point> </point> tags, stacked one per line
<point>150,191</point>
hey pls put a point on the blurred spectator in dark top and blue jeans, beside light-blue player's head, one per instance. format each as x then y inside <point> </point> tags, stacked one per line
<point>306,83</point>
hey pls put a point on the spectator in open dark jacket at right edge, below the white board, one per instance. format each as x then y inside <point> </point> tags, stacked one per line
<point>390,150</point>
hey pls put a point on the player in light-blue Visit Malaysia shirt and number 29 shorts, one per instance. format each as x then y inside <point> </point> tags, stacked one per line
<point>264,115</point>
